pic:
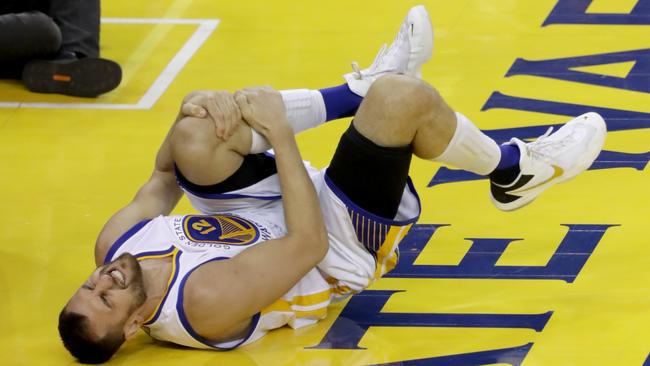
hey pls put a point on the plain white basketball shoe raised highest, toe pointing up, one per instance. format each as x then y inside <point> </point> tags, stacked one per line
<point>411,48</point>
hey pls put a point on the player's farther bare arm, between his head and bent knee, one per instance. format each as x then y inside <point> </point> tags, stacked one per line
<point>158,196</point>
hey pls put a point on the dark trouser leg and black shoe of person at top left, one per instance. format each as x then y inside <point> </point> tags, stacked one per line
<point>53,46</point>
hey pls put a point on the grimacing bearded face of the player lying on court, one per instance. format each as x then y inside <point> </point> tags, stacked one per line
<point>110,295</point>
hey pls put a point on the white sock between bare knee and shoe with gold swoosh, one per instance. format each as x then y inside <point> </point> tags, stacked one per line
<point>470,149</point>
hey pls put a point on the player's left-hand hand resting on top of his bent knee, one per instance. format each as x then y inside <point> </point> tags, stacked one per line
<point>217,106</point>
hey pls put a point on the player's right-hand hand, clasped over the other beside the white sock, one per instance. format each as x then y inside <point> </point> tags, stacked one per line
<point>263,109</point>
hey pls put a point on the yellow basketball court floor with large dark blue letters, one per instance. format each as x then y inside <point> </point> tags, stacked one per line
<point>563,281</point>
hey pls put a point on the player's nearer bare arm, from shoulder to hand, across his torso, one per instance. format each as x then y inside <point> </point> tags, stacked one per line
<point>260,275</point>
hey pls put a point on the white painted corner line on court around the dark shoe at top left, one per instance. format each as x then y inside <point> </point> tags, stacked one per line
<point>156,90</point>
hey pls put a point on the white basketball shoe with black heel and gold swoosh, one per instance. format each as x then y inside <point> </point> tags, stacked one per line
<point>551,159</point>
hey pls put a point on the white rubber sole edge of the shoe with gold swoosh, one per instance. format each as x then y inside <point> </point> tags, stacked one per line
<point>595,120</point>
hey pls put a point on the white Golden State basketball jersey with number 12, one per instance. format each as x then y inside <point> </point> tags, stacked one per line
<point>194,240</point>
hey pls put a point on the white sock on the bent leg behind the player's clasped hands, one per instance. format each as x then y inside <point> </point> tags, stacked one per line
<point>305,110</point>
